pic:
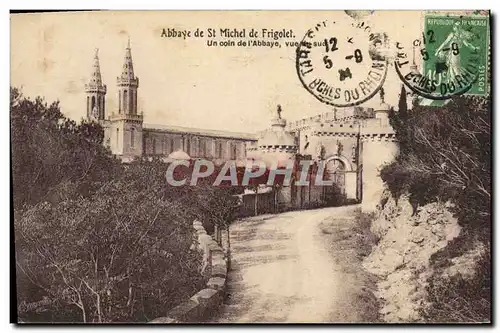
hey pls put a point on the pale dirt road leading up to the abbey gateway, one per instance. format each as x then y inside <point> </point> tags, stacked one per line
<point>283,270</point>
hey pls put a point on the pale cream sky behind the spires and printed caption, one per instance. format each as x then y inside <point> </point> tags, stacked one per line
<point>183,82</point>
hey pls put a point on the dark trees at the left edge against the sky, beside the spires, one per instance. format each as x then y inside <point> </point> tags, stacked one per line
<point>48,149</point>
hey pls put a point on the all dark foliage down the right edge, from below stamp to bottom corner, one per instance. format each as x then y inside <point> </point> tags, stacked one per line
<point>445,155</point>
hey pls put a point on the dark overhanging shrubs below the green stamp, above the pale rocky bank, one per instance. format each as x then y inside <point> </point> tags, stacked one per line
<point>445,154</point>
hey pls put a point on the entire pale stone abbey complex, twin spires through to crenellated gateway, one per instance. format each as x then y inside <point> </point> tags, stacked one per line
<point>353,142</point>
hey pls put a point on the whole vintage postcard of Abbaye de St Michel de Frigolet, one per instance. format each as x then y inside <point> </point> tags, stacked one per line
<point>220,167</point>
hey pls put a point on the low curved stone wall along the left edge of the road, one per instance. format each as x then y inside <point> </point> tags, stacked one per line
<point>205,302</point>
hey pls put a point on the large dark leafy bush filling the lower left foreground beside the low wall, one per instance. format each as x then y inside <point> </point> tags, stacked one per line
<point>118,255</point>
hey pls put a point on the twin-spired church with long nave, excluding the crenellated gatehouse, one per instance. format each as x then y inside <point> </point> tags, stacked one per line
<point>128,137</point>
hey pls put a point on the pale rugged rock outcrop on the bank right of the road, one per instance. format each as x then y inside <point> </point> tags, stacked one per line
<point>401,258</point>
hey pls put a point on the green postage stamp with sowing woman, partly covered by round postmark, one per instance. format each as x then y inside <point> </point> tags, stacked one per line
<point>456,53</point>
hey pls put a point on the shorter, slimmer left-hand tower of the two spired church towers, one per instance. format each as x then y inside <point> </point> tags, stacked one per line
<point>96,92</point>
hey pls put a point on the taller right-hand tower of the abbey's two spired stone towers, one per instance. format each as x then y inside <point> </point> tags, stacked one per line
<point>125,124</point>
